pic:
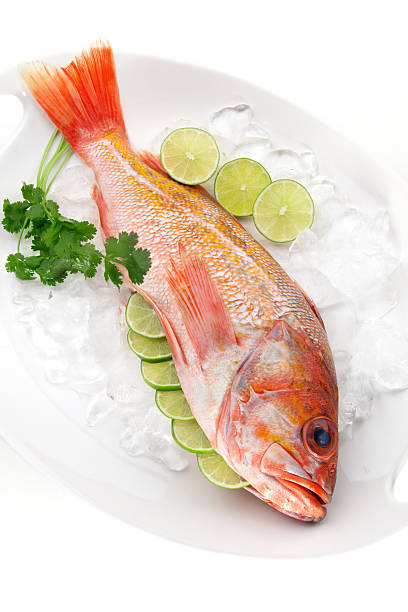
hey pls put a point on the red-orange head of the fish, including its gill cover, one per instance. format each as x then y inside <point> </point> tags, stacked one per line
<point>282,428</point>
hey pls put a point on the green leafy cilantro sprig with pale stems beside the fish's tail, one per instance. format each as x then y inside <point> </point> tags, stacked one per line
<point>63,246</point>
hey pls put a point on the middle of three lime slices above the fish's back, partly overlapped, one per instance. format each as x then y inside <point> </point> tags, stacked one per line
<point>239,183</point>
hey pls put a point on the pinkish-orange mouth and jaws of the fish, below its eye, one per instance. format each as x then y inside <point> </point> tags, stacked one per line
<point>306,497</point>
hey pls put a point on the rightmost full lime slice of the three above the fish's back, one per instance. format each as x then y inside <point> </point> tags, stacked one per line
<point>283,210</point>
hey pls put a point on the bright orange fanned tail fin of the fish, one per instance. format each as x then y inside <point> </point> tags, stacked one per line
<point>82,99</point>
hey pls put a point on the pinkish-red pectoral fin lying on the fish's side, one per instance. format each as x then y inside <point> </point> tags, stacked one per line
<point>207,320</point>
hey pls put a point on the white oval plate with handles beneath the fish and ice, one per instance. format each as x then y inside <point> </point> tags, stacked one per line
<point>181,505</point>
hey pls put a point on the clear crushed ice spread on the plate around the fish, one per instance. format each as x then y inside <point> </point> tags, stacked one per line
<point>343,262</point>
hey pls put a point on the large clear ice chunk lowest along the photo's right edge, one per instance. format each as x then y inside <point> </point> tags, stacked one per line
<point>381,352</point>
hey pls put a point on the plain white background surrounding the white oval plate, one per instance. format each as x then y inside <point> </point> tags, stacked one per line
<point>346,62</point>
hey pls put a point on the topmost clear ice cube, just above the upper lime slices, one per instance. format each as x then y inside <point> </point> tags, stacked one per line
<point>231,122</point>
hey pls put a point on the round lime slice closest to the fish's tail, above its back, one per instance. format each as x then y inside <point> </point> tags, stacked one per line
<point>190,155</point>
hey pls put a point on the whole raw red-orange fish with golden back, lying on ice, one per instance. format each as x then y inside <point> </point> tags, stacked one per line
<point>249,346</point>
